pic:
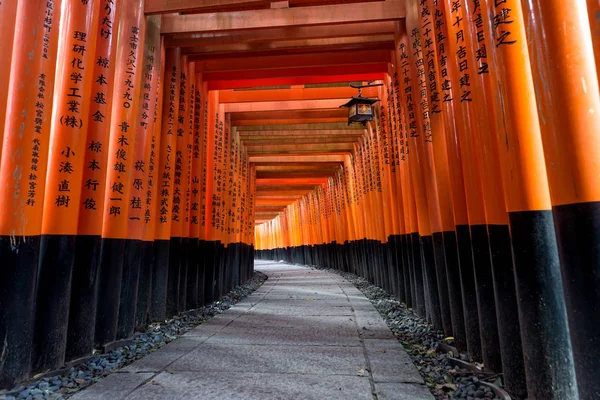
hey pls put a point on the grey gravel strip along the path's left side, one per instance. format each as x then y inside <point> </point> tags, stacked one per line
<point>158,335</point>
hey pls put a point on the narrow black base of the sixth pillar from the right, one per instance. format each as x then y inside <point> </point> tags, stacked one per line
<point>455,290</point>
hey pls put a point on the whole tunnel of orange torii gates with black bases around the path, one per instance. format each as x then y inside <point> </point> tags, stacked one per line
<point>151,149</point>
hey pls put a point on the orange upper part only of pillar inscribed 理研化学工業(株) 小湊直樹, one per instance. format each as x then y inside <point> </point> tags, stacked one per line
<point>72,104</point>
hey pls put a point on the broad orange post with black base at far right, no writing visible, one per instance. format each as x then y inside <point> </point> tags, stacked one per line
<point>569,114</point>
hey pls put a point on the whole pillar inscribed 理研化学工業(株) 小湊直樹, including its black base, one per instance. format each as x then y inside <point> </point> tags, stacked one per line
<point>70,120</point>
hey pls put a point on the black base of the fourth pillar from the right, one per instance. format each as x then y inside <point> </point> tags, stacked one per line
<point>484,284</point>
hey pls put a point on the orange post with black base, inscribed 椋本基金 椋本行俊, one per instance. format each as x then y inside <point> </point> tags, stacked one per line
<point>82,313</point>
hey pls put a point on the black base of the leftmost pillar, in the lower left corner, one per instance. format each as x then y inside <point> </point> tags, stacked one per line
<point>18,275</point>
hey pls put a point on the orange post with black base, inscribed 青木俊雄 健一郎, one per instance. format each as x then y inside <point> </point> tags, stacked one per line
<point>121,166</point>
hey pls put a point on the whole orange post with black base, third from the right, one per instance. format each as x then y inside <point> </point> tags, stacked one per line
<point>486,147</point>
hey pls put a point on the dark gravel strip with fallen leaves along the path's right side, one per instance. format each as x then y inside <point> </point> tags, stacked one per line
<point>422,341</point>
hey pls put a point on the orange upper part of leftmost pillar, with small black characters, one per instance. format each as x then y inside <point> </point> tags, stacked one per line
<point>27,122</point>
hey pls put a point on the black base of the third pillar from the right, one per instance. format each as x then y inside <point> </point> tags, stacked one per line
<point>509,330</point>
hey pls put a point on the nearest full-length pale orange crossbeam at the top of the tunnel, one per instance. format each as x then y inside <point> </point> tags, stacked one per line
<point>302,16</point>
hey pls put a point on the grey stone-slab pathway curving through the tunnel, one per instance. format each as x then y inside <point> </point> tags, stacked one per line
<point>304,334</point>
